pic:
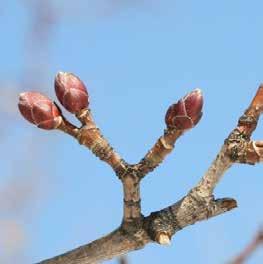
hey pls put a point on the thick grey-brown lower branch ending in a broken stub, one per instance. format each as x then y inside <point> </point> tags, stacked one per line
<point>133,236</point>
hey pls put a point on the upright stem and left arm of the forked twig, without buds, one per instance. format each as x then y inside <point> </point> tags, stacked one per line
<point>90,136</point>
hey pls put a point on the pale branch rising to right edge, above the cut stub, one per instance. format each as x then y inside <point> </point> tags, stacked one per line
<point>237,148</point>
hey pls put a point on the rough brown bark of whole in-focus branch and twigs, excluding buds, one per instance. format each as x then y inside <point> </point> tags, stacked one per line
<point>199,204</point>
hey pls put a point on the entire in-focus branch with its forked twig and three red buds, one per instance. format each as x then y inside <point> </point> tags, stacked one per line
<point>136,230</point>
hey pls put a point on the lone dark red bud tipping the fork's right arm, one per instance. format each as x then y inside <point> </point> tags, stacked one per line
<point>186,113</point>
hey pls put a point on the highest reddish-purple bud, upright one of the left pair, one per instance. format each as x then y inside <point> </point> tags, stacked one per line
<point>71,92</point>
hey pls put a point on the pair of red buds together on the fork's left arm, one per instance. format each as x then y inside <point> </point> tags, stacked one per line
<point>42,112</point>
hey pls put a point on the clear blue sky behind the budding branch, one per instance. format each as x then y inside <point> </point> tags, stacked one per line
<point>136,58</point>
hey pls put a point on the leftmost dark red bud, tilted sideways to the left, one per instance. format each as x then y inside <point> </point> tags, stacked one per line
<point>39,110</point>
